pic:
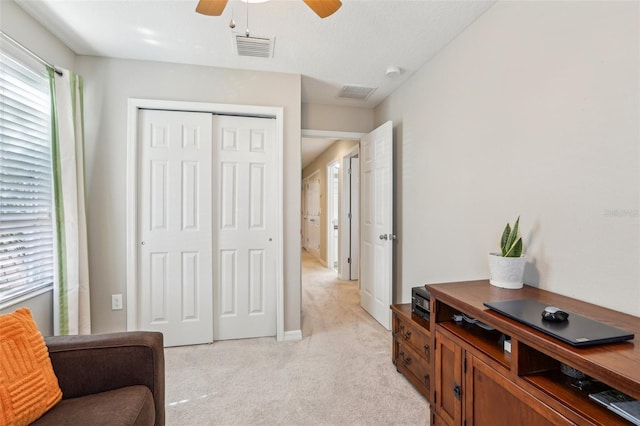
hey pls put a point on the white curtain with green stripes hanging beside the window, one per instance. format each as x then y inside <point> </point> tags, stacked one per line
<point>71,292</point>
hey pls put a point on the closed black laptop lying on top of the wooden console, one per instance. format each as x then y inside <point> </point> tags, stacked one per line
<point>576,330</point>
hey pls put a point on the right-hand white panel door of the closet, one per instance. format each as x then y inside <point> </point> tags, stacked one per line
<point>245,260</point>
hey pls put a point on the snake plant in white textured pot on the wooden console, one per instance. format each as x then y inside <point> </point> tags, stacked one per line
<point>507,267</point>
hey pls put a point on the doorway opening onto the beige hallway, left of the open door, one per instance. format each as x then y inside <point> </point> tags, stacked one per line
<point>327,178</point>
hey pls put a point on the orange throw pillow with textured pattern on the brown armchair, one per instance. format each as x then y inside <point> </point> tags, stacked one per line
<point>28,385</point>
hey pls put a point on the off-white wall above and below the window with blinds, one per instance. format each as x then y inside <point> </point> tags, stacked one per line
<point>24,29</point>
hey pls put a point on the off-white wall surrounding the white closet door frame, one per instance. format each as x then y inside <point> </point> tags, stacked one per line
<point>109,83</point>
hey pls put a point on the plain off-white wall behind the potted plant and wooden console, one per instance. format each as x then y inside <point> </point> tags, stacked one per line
<point>532,111</point>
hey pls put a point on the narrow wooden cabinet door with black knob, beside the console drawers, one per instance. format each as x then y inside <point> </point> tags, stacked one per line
<point>448,392</point>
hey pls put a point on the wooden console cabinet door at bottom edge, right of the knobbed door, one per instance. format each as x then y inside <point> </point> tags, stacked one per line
<point>491,399</point>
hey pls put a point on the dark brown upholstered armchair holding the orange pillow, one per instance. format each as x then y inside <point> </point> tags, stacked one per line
<point>108,379</point>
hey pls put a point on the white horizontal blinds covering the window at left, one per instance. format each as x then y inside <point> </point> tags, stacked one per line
<point>26,193</point>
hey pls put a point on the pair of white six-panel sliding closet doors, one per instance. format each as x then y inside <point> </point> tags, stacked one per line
<point>206,225</point>
